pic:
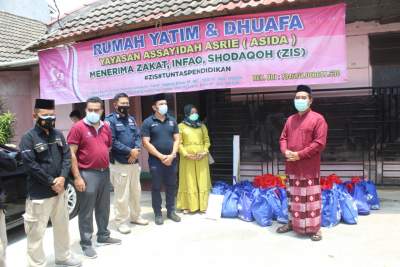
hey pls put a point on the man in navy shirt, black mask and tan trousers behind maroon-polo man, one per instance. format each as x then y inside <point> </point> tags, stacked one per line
<point>125,170</point>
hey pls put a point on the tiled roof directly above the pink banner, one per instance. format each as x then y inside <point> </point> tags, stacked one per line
<point>106,15</point>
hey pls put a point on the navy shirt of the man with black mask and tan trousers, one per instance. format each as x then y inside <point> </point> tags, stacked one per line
<point>125,136</point>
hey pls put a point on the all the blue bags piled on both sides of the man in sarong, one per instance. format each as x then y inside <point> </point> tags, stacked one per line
<point>342,202</point>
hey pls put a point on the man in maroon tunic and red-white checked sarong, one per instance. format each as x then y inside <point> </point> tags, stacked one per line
<point>302,141</point>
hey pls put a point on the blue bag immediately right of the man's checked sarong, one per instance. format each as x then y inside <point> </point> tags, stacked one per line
<point>331,211</point>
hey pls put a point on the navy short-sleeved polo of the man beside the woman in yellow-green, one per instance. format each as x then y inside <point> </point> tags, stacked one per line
<point>161,133</point>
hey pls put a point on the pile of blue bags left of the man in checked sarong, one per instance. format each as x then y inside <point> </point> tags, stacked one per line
<point>248,203</point>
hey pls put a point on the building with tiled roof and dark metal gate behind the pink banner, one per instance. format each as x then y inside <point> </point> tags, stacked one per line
<point>361,112</point>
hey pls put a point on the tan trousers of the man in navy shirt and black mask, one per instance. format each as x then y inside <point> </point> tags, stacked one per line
<point>127,191</point>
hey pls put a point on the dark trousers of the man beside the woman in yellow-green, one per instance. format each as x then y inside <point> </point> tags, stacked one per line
<point>166,175</point>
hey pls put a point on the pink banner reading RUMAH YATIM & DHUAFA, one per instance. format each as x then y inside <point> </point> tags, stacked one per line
<point>282,48</point>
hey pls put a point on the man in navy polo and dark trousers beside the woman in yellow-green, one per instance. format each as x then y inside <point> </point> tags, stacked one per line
<point>160,136</point>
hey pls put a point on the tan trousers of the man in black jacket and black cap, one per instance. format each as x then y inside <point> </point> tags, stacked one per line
<point>36,218</point>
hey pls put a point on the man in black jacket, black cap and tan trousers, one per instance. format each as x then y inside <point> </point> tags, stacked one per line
<point>48,161</point>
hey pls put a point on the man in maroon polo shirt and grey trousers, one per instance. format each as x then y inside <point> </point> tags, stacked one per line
<point>90,141</point>
